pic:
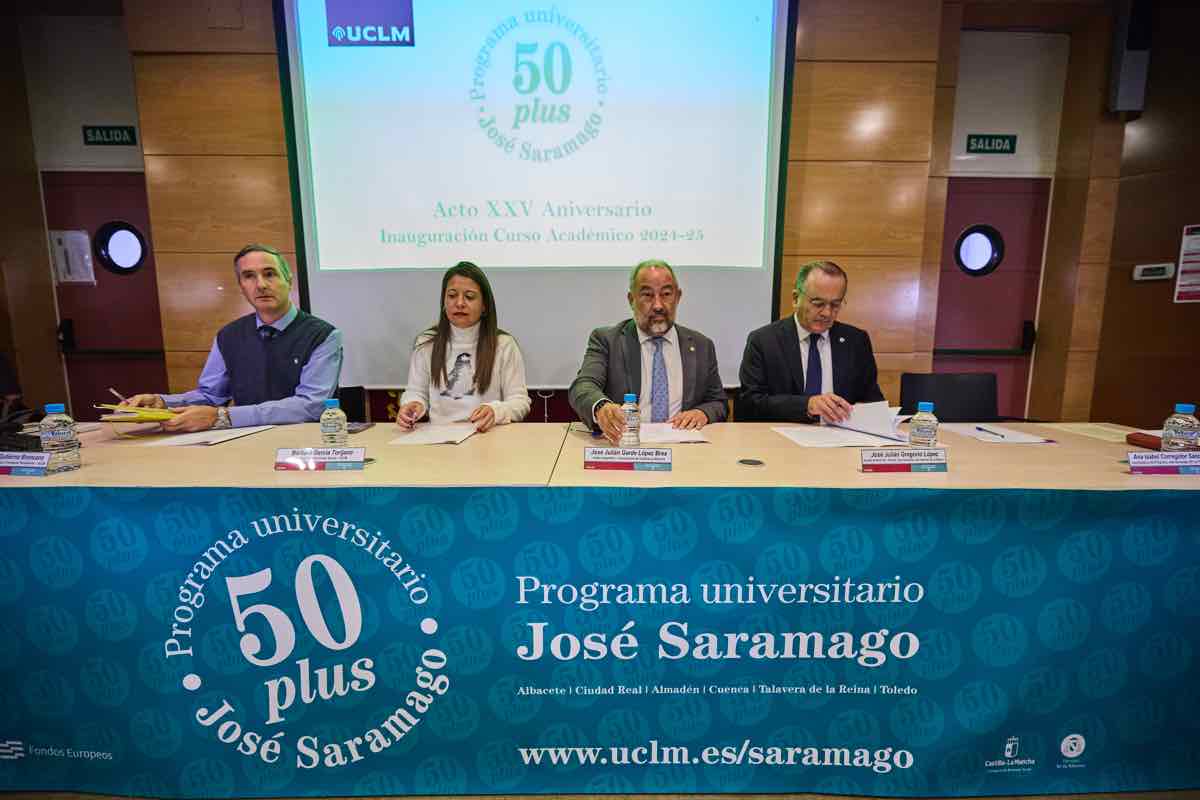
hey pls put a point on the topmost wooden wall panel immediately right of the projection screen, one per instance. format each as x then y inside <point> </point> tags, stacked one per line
<point>868,31</point>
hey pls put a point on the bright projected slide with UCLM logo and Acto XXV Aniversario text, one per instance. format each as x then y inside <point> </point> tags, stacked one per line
<point>529,135</point>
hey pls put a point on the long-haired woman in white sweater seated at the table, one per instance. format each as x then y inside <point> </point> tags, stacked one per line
<point>465,368</point>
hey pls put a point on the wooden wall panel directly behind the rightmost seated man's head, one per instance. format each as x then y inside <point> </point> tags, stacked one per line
<point>881,299</point>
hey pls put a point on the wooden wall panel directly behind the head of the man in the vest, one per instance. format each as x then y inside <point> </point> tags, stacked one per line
<point>200,294</point>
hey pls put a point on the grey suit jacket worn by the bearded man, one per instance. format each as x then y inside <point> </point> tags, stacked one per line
<point>613,366</point>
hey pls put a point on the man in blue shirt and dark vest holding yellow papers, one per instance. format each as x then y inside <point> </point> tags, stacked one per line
<point>273,368</point>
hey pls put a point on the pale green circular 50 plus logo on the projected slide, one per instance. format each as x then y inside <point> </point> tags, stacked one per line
<point>539,86</point>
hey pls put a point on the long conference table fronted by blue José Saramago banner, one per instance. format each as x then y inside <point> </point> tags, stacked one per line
<point>494,618</point>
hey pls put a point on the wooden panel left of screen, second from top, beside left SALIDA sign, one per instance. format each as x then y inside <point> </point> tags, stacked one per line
<point>209,105</point>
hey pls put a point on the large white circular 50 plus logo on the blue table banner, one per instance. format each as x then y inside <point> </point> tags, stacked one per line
<point>293,637</point>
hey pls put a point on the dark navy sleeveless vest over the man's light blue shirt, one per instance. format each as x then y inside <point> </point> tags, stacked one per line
<point>268,370</point>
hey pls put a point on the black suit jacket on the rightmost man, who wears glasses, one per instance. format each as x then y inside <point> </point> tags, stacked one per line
<point>773,377</point>
